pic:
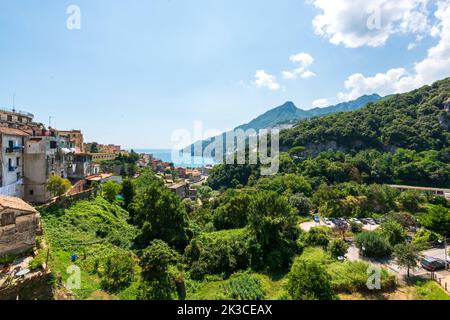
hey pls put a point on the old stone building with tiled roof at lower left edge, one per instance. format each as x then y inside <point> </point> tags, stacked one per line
<point>19,223</point>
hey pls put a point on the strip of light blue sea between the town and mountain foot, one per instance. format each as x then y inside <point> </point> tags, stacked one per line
<point>184,161</point>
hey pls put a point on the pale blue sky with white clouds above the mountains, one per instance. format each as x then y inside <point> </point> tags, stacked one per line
<point>138,70</point>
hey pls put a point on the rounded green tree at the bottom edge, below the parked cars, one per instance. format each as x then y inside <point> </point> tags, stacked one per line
<point>308,280</point>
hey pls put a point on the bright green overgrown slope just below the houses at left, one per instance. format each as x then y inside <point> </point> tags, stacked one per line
<point>93,230</point>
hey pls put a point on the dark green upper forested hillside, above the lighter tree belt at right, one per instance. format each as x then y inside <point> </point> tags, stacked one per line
<point>418,120</point>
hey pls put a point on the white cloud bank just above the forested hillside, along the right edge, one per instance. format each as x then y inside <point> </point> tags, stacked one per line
<point>435,66</point>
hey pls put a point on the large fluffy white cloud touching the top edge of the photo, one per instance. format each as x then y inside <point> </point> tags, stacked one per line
<point>368,22</point>
